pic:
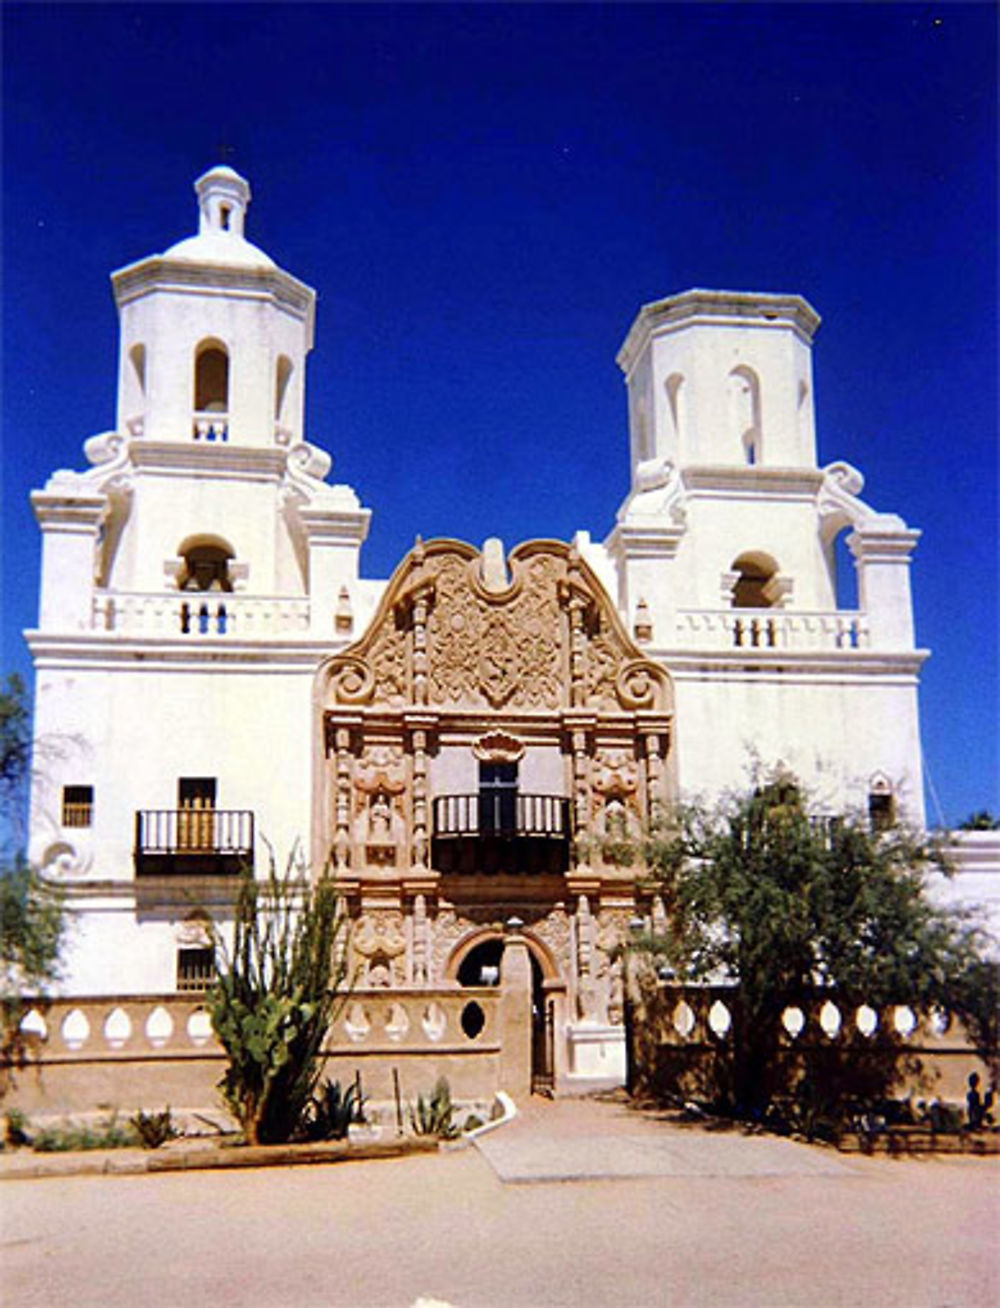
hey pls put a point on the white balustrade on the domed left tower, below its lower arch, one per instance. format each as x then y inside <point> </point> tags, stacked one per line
<point>201,614</point>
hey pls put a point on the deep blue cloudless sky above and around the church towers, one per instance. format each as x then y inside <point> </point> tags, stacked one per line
<point>484,197</point>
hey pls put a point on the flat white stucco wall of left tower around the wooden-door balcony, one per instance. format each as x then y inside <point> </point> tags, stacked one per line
<point>133,732</point>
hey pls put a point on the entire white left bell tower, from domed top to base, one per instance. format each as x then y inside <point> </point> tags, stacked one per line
<point>193,577</point>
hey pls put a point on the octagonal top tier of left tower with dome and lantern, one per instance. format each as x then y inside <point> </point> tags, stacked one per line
<point>215,336</point>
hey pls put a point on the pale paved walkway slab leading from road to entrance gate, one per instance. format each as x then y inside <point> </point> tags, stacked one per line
<point>599,1141</point>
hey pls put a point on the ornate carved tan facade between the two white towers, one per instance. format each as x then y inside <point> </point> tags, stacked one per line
<point>476,669</point>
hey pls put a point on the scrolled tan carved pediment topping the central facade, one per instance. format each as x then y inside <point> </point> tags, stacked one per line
<point>448,636</point>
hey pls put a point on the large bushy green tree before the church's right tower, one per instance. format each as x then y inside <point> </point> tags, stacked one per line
<point>768,898</point>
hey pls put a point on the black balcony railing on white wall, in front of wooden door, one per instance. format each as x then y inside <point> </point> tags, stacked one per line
<point>194,842</point>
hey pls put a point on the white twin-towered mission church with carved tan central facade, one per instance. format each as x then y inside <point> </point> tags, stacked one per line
<point>470,740</point>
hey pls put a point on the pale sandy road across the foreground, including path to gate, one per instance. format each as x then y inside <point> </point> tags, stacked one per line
<point>747,1225</point>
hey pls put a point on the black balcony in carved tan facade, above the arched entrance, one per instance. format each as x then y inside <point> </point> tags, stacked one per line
<point>501,833</point>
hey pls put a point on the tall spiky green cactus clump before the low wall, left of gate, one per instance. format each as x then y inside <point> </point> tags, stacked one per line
<point>276,995</point>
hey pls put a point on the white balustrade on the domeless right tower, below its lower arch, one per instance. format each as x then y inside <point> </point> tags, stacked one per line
<point>771,630</point>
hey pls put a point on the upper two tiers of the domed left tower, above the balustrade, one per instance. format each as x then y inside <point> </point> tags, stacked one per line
<point>210,456</point>
